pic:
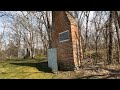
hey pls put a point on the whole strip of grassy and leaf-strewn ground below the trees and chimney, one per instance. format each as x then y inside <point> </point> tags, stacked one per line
<point>38,69</point>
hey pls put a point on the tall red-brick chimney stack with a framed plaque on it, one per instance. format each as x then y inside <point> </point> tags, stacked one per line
<point>65,39</point>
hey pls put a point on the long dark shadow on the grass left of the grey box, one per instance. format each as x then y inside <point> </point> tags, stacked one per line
<point>41,66</point>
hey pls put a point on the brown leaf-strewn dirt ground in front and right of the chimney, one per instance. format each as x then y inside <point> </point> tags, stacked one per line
<point>90,71</point>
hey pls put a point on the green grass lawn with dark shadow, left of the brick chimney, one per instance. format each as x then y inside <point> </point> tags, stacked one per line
<point>25,69</point>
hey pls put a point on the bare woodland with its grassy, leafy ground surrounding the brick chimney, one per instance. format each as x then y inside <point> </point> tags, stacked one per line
<point>25,37</point>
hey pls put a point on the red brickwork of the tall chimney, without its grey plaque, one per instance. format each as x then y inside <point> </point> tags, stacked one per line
<point>66,55</point>
